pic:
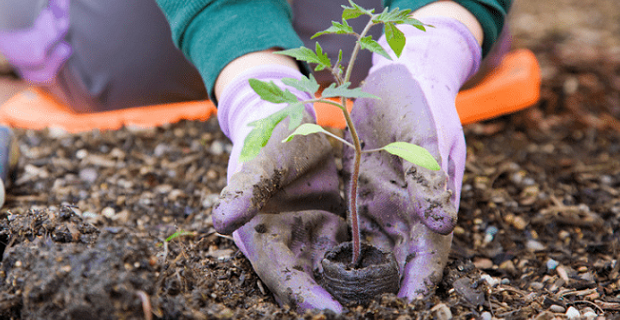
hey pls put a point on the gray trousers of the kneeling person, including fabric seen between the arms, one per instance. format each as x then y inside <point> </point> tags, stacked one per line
<point>123,55</point>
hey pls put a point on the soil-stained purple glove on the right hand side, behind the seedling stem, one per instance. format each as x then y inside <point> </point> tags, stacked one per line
<point>405,208</point>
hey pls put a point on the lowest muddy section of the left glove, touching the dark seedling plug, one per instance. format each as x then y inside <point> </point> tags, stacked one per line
<point>286,252</point>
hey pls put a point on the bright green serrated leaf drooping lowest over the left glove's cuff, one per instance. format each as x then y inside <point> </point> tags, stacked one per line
<point>259,135</point>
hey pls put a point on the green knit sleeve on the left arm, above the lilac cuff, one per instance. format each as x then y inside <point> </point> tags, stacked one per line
<point>212,33</point>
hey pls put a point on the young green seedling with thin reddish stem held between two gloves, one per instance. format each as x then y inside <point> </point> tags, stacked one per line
<point>340,90</point>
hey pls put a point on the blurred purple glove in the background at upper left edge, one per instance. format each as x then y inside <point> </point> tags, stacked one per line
<point>39,52</point>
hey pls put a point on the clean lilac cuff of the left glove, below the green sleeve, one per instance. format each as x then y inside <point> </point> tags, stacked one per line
<point>240,105</point>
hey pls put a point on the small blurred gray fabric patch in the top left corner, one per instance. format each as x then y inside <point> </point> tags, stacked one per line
<point>19,14</point>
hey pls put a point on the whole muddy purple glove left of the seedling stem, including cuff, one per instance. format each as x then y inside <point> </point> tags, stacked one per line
<point>296,180</point>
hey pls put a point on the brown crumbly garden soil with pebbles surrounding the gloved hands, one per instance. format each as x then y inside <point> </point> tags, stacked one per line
<point>85,230</point>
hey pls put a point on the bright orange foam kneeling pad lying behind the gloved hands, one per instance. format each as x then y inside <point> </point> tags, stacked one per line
<point>513,86</point>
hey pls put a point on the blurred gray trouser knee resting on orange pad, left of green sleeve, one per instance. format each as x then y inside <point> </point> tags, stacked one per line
<point>122,57</point>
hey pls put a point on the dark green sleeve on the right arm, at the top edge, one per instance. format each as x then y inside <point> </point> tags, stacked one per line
<point>490,13</point>
